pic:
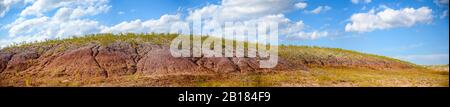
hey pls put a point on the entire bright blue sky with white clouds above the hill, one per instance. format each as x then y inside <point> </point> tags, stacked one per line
<point>412,30</point>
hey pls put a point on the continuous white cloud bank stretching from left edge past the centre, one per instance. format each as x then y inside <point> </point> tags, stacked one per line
<point>37,22</point>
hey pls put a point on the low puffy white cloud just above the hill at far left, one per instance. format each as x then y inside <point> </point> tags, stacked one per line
<point>51,28</point>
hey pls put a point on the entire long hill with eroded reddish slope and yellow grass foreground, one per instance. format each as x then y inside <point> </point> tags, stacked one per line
<point>141,60</point>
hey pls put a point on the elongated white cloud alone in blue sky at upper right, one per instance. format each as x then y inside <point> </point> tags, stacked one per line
<point>388,18</point>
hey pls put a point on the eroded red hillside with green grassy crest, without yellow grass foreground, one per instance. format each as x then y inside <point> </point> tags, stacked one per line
<point>115,56</point>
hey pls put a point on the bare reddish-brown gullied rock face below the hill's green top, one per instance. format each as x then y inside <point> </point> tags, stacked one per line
<point>118,59</point>
